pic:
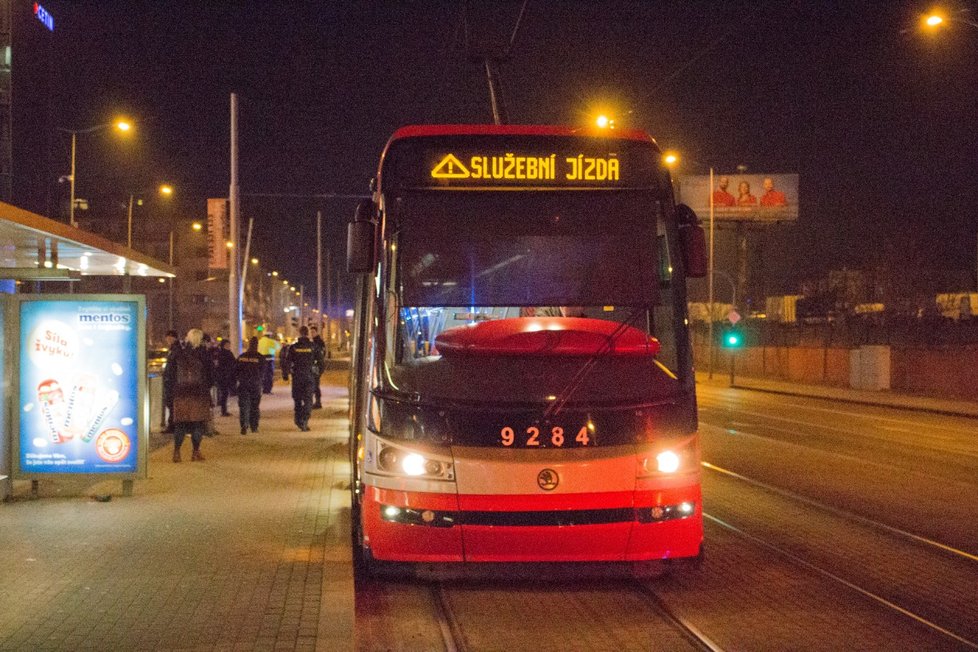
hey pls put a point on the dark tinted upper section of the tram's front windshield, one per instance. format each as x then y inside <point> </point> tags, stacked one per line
<point>526,249</point>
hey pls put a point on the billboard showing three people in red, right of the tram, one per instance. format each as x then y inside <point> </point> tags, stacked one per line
<point>742,197</point>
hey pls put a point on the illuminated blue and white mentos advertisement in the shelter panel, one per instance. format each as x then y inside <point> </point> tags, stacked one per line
<point>79,386</point>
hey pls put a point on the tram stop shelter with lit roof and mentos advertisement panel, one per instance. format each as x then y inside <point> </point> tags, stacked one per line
<point>70,407</point>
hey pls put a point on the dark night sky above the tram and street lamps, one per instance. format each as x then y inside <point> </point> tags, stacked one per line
<point>877,118</point>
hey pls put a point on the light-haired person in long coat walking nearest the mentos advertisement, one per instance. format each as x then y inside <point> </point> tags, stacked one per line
<point>191,394</point>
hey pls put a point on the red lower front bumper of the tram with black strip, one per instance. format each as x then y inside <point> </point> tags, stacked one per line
<point>610,527</point>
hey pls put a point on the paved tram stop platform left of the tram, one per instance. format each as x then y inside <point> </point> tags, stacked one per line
<point>247,550</point>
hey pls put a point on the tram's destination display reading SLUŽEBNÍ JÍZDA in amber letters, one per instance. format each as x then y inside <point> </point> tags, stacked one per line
<point>535,163</point>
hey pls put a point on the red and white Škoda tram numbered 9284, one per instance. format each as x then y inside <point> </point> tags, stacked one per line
<point>522,385</point>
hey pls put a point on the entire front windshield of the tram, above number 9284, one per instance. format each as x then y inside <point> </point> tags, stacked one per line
<point>517,298</point>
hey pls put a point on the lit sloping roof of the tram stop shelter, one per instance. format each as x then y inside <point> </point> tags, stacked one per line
<point>28,240</point>
